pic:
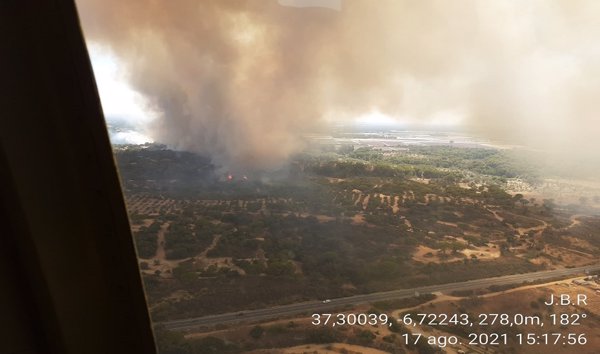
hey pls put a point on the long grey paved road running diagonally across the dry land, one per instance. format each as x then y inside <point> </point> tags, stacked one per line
<point>317,306</point>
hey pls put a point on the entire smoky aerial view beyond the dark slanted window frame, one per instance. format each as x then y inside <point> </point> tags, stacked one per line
<point>282,160</point>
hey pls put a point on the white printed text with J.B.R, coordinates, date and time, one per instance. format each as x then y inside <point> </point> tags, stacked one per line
<point>412,321</point>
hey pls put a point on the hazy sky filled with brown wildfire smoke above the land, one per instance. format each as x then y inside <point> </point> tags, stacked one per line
<point>244,80</point>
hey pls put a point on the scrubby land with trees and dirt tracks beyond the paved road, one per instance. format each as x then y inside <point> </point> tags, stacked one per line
<point>339,223</point>
